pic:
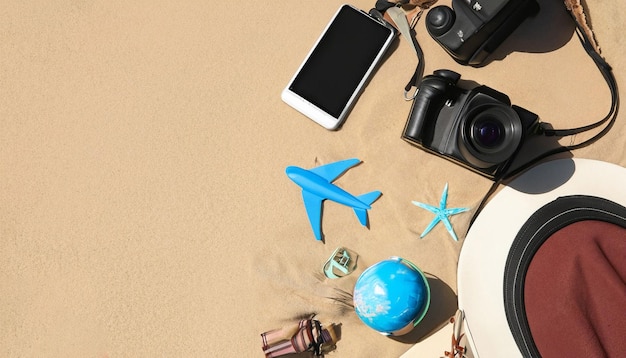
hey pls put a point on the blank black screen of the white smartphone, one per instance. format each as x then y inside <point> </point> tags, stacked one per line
<point>340,60</point>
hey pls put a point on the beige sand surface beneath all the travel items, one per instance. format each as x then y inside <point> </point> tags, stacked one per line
<point>145,210</point>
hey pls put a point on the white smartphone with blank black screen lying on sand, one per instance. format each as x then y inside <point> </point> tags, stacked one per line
<point>333,74</point>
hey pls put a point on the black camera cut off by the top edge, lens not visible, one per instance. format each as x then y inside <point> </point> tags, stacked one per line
<point>472,29</point>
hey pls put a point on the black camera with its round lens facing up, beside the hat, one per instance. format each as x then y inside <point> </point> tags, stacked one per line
<point>476,127</point>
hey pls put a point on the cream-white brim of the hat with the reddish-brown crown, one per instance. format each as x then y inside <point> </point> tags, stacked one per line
<point>482,260</point>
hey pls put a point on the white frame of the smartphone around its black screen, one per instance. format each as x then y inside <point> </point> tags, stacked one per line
<point>317,114</point>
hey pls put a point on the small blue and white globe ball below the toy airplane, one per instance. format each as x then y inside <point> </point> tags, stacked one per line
<point>392,296</point>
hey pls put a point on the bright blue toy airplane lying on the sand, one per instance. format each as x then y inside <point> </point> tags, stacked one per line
<point>317,186</point>
